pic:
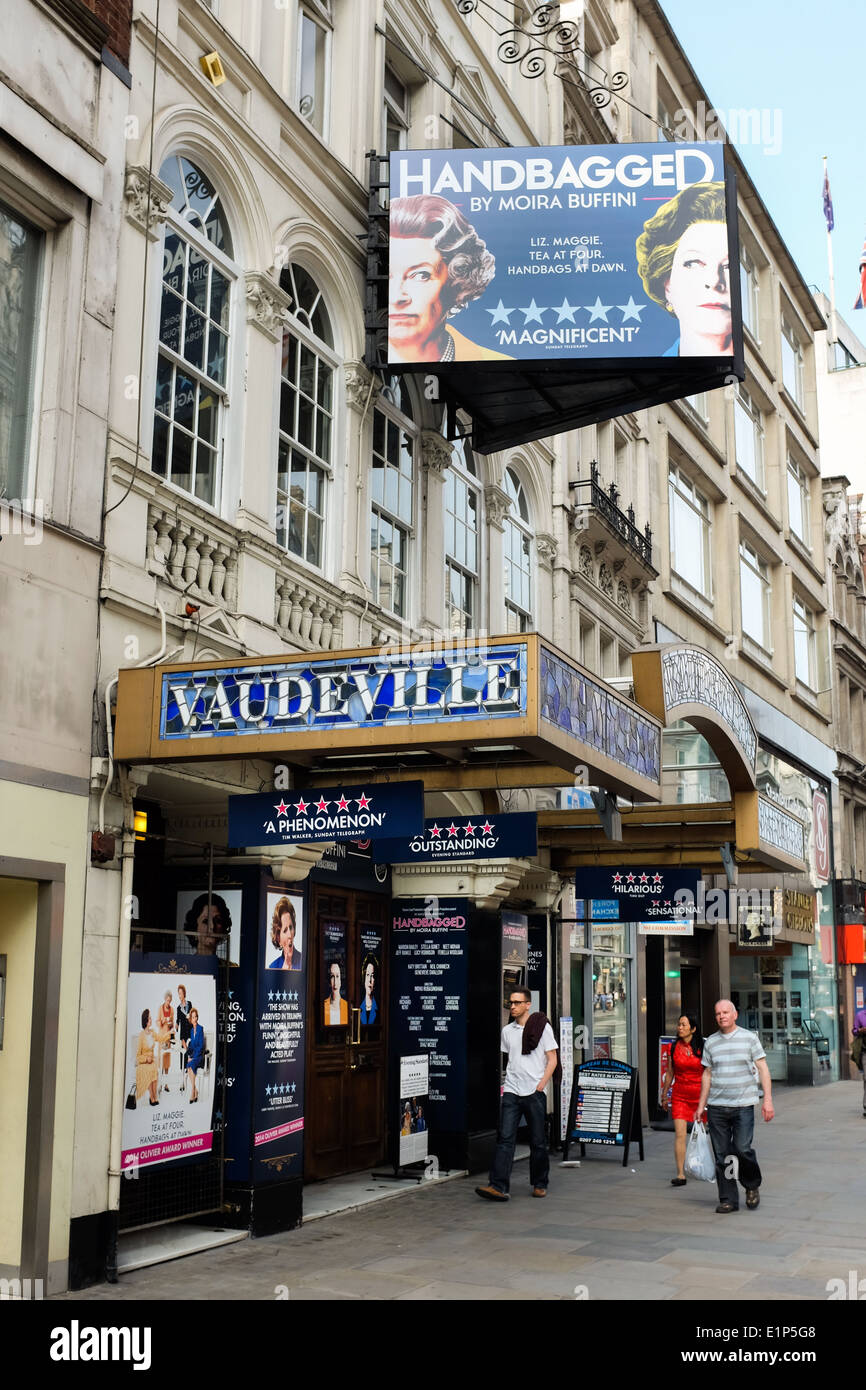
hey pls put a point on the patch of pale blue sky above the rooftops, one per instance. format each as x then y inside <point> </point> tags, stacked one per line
<point>804,60</point>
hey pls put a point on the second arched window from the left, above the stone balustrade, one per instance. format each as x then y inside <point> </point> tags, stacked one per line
<point>307,419</point>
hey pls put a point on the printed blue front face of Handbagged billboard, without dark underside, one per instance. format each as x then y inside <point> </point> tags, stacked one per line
<point>566,254</point>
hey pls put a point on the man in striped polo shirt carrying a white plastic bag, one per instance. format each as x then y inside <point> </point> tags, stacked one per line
<point>735,1063</point>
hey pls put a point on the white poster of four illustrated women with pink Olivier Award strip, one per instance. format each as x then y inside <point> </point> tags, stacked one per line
<point>172,1031</point>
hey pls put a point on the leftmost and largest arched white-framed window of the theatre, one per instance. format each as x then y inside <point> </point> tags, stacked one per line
<point>193,363</point>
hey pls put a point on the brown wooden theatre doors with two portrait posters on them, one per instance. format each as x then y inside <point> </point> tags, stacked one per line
<point>347,1032</point>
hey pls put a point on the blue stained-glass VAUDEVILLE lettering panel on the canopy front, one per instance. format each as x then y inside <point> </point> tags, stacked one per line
<point>351,694</point>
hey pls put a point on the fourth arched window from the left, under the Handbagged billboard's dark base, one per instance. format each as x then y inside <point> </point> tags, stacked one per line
<point>462,543</point>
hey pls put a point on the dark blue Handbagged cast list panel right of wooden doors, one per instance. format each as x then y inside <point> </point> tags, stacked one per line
<point>429,992</point>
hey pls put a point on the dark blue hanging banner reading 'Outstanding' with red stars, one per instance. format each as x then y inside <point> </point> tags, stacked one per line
<point>475,837</point>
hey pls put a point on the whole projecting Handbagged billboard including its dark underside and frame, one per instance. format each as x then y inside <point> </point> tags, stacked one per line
<point>548,288</point>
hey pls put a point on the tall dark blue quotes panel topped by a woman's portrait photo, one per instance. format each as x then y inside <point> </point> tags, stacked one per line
<point>280,1039</point>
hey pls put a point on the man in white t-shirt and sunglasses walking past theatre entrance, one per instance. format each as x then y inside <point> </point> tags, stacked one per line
<point>526,1081</point>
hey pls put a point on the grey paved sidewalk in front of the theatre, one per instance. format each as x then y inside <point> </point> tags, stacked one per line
<point>604,1232</point>
